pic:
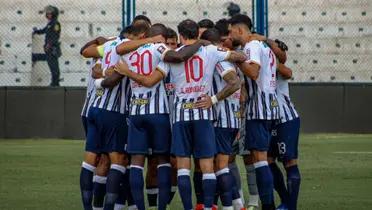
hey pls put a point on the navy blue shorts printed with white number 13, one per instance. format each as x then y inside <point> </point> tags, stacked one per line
<point>284,144</point>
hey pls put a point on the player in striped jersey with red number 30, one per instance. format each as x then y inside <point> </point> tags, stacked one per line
<point>148,112</point>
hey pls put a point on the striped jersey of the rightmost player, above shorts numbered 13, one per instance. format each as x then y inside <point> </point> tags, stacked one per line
<point>287,109</point>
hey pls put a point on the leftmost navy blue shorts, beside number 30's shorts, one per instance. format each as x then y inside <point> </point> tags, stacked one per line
<point>107,131</point>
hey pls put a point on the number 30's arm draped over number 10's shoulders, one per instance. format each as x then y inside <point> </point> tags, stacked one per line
<point>172,56</point>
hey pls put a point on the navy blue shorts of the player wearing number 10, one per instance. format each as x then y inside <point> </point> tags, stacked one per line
<point>194,138</point>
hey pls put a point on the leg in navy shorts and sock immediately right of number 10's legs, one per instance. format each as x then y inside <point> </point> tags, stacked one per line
<point>224,140</point>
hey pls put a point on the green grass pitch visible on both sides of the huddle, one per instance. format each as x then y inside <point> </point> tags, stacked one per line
<point>44,174</point>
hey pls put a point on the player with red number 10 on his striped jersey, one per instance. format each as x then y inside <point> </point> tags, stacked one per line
<point>192,83</point>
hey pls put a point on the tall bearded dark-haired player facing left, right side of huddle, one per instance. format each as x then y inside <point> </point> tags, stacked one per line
<point>262,104</point>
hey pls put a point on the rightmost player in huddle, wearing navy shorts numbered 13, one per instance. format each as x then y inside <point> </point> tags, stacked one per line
<point>284,145</point>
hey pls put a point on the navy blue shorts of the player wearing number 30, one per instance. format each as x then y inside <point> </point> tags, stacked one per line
<point>149,132</point>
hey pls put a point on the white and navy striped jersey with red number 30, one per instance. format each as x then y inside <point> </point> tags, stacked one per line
<point>144,61</point>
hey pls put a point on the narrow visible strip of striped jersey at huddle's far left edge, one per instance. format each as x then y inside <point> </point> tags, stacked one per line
<point>91,89</point>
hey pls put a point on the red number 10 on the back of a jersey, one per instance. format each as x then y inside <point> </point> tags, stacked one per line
<point>190,65</point>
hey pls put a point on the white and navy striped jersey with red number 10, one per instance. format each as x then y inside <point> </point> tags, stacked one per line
<point>192,79</point>
